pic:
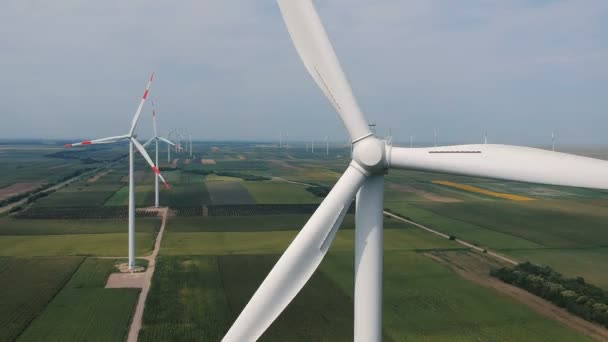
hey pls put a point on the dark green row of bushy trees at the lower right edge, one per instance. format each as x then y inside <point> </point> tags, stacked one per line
<point>575,294</point>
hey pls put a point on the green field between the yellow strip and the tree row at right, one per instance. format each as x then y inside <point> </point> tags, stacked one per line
<point>564,234</point>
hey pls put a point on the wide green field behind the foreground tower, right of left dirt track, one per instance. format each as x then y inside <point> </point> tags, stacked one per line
<point>209,291</point>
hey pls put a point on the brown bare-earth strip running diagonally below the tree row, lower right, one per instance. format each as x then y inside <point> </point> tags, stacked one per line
<point>543,307</point>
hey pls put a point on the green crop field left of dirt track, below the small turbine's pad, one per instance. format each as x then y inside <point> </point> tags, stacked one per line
<point>84,310</point>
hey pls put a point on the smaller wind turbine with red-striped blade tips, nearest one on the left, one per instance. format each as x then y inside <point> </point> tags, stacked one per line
<point>132,143</point>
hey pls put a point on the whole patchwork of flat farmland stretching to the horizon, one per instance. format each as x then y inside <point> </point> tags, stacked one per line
<point>234,208</point>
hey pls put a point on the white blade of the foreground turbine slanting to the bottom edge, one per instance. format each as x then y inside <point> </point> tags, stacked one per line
<point>298,263</point>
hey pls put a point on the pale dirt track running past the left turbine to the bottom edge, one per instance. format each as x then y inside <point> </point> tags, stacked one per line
<point>147,281</point>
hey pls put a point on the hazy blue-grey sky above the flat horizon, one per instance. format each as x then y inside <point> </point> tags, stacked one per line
<point>227,69</point>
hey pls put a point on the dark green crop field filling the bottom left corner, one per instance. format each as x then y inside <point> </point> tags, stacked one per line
<point>26,286</point>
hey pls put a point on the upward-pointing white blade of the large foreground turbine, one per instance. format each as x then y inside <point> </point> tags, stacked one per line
<point>317,53</point>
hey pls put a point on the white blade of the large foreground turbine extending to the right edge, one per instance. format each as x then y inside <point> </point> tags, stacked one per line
<point>515,163</point>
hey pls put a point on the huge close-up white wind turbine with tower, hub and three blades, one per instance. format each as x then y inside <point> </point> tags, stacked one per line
<point>364,178</point>
